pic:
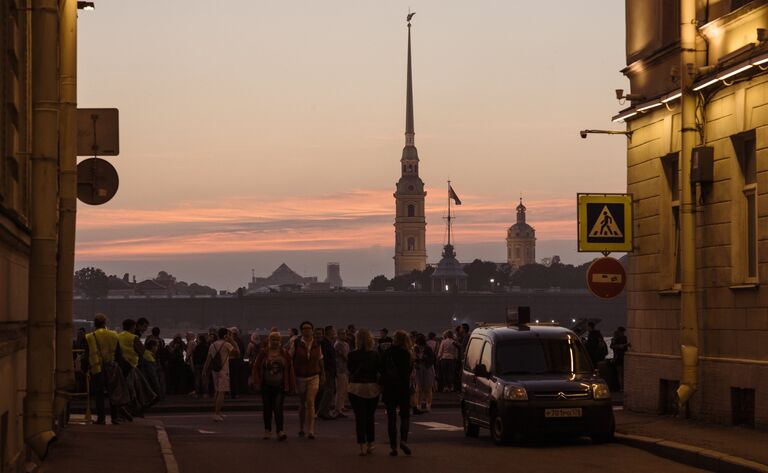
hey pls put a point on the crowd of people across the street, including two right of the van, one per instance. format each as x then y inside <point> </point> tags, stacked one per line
<point>330,369</point>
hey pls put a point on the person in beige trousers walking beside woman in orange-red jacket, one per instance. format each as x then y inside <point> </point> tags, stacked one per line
<point>307,358</point>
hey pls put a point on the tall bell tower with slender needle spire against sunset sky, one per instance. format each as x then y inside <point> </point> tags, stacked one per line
<point>410,218</point>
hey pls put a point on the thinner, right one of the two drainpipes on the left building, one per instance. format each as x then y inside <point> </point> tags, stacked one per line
<point>65,380</point>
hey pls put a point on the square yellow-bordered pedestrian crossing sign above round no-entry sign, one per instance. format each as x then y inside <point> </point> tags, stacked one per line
<point>605,222</point>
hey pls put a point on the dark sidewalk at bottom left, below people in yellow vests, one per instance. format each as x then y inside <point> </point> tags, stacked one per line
<point>125,448</point>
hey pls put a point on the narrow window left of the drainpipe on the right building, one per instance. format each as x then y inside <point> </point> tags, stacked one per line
<point>671,166</point>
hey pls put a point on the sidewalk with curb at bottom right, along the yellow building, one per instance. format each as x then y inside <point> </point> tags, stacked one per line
<point>707,446</point>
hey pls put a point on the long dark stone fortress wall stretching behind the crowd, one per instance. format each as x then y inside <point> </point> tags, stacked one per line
<point>411,311</point>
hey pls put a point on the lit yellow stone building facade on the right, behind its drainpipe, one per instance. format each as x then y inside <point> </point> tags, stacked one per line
<point>730,180</point>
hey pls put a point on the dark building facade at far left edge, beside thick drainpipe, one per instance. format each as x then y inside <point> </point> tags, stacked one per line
<point>15,241</point>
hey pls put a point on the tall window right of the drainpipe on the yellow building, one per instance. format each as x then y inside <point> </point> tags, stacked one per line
<point>745,201</point>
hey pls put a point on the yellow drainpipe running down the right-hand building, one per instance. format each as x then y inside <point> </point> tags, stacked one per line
<point>689,323</point>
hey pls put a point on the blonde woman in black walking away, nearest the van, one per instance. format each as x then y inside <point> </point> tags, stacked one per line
<point>397,364</point>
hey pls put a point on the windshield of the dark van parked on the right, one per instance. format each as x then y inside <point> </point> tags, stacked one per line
<point>539,356</point>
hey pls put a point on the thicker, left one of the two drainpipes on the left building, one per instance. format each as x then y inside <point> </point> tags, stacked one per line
<point>38,404</point>
